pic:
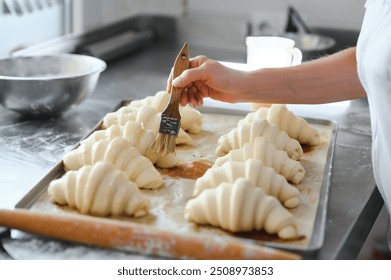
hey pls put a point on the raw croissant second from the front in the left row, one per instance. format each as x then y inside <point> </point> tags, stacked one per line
<point>122,154</point>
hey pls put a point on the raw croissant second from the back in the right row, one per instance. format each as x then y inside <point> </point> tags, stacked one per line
<point>247,132</point>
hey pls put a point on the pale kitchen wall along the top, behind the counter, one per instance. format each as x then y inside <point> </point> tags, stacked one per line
<point>338,14</point>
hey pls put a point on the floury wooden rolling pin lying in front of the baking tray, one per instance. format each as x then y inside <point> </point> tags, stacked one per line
<point>135,237</point>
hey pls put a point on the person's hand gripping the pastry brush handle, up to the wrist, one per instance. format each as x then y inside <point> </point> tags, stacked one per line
<point>208,78</point>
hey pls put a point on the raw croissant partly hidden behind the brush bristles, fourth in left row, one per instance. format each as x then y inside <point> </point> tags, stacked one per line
<point>147,115</point>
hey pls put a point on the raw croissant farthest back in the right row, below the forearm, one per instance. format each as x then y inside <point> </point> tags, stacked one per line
<point>296,127</point>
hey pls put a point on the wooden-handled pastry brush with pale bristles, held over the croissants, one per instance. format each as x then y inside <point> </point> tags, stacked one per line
<point>171,117</point>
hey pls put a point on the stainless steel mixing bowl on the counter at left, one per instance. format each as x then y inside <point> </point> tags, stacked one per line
<point>47,85</point>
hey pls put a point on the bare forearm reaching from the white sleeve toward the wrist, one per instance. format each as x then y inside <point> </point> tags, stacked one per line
<point>329,79</point>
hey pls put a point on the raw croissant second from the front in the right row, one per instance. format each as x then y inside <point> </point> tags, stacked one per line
<point>255,171</point>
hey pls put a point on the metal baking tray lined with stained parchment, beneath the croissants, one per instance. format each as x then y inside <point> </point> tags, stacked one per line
<point>315,201</point>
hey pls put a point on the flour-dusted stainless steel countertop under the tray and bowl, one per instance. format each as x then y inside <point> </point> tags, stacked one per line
<point>29,148</point>
